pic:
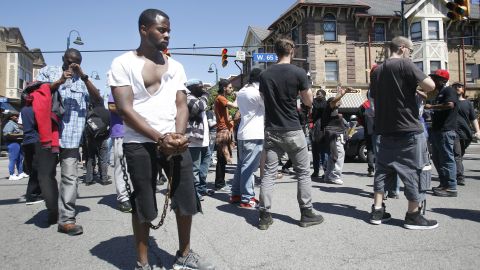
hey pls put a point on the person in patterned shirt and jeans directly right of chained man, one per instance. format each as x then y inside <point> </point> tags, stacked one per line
<point>197,133</point>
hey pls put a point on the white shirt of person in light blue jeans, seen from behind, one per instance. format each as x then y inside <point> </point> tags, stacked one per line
<point>252,110</point>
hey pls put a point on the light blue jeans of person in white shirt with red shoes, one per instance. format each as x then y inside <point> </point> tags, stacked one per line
<point>250,152</point>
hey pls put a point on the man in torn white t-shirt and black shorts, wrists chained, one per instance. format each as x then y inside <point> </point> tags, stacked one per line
<point>154,109</point>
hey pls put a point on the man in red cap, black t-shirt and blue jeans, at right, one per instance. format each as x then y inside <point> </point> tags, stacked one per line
<point>444,123</point>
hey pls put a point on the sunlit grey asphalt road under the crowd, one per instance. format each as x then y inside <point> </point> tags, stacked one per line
<point>228,235</point>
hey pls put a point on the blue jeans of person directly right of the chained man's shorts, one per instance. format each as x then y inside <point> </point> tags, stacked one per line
<point>201,162</point>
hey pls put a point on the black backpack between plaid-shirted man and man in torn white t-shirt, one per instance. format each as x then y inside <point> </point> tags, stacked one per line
<point>97,124</point>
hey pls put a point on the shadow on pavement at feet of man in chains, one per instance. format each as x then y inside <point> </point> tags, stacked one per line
<point>120,252</point>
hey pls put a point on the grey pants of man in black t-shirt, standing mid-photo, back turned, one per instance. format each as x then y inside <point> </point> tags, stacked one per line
<point>295,145</point>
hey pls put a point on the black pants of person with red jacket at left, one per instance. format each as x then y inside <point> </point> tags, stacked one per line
<point>43,172</point>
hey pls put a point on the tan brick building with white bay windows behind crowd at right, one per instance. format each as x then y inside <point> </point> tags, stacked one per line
<point>339,40</point>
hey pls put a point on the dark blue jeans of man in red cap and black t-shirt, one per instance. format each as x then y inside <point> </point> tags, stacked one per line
<point>444,158</point>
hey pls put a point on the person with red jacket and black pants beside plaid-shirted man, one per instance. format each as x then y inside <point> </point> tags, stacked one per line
<point>41,144</point>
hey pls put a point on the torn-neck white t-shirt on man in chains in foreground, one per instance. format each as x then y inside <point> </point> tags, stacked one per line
<point>159,109</point>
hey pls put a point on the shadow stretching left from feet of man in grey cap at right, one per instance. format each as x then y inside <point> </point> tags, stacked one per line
<point>350,211</point>
